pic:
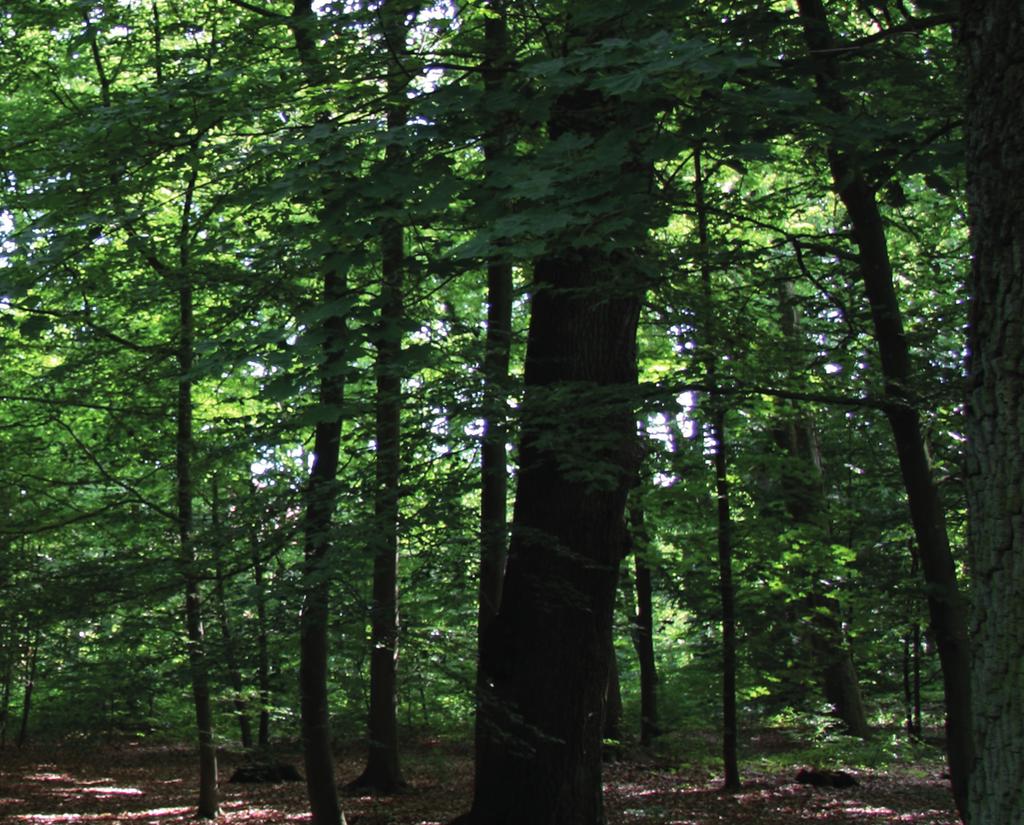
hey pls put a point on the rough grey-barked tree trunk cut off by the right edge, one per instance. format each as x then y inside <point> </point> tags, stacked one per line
<point>994,36</point>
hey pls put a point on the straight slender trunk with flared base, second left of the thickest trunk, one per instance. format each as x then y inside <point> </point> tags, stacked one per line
<point>383,774</point>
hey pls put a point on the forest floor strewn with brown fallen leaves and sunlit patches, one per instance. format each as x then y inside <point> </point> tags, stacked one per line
<point>146,785</point>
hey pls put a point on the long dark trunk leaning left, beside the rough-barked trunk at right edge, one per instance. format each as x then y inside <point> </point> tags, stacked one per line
<point>946,604</point>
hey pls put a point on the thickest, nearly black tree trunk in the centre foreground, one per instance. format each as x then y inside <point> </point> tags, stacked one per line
<point>545,657</point>
